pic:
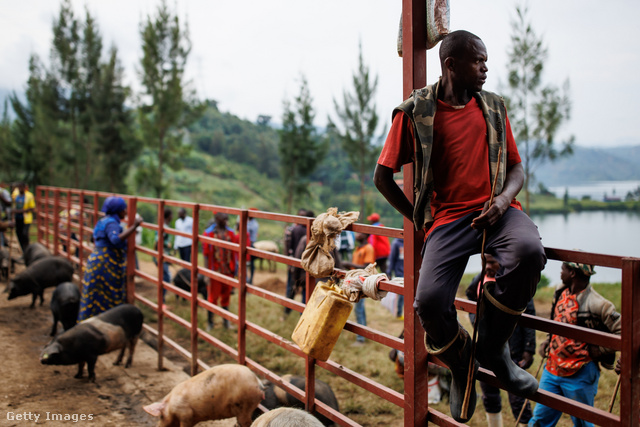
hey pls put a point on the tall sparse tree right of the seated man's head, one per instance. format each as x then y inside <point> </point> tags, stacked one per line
<point>536,112</point>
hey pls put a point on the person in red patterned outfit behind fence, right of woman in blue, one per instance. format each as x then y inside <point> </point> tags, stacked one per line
<point>221,261</point>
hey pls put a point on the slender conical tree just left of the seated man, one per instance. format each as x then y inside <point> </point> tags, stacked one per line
<point>359,121</point>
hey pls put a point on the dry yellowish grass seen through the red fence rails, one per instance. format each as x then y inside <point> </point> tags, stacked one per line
<point>370,360</point>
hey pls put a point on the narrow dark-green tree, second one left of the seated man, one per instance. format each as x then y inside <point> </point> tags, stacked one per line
<point>301,149</point>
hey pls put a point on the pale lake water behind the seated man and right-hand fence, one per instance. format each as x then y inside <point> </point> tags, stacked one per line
<point>611,233</point>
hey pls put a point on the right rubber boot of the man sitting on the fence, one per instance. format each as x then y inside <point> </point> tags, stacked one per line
<point>497,323</point>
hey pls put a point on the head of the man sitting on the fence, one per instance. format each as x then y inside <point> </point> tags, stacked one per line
<point>463,58</point>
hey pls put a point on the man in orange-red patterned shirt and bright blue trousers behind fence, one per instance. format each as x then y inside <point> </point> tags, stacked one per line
<point>572,368</point>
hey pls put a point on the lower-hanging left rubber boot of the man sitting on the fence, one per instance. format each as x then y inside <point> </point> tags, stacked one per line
<point>456,356</point>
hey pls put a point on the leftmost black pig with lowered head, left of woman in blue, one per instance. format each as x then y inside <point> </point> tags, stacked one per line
<point>44,273</point>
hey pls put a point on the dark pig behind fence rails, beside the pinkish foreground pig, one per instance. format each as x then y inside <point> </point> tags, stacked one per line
<point>275,397</point>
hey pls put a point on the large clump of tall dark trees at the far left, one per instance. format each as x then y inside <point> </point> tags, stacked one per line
<point>72,127</point>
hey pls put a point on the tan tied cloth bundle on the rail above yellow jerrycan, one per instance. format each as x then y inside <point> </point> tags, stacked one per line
<point>317,258</point>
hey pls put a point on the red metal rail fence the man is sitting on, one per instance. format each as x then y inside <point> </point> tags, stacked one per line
<point>63,213</point>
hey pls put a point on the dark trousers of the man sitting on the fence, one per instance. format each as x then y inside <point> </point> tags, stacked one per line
<point>514,242</point>
